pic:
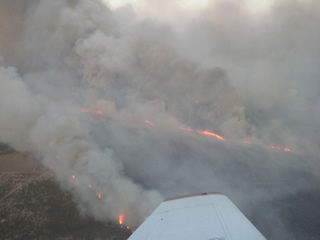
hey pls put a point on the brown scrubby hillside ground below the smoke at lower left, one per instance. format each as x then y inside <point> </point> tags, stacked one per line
<point>32,205</point>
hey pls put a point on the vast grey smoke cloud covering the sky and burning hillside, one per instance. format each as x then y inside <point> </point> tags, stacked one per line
<point>225,67</point>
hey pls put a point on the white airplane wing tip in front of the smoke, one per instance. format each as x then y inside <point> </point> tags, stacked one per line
<point>207,216</point>
